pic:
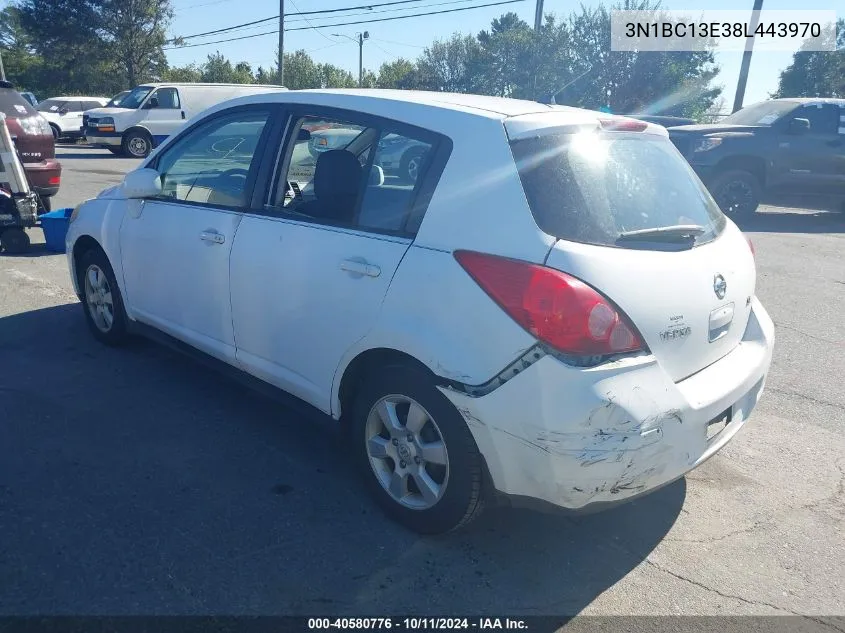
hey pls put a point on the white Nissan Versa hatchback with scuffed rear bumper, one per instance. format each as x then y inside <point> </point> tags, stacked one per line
<point>554,309</point>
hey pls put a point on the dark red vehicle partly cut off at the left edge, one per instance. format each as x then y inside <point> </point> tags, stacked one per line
<point>34,141</point>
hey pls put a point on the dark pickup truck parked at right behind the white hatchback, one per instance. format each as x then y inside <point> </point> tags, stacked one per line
<point>781,146</point>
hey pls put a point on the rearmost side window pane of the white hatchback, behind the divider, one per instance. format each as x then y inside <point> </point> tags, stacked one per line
<point>399,164</point>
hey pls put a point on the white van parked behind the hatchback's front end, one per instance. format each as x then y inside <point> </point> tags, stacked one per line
<point>152,112</point>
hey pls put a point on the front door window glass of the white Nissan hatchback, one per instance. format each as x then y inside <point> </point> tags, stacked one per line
<point>211,164</point>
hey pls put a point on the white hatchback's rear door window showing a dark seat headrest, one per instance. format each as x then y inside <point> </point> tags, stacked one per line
<point>325,169</point>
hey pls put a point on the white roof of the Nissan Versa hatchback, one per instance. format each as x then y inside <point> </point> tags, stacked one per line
<point>364,99</point>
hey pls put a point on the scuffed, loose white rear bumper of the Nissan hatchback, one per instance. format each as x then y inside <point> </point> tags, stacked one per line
<point>583,439</point>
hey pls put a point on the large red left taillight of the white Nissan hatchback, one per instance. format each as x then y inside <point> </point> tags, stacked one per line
<point>558,309</point>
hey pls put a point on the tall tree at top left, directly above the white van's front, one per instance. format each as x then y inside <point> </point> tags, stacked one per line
<point>135,31</point>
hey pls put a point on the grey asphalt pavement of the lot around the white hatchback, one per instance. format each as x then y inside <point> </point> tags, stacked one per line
<point>135,481</point>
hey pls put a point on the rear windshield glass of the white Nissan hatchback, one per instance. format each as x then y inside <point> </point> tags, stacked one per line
<point>598,188</point>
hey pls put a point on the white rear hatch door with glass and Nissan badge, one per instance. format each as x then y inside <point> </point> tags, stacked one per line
<point>635,222</point>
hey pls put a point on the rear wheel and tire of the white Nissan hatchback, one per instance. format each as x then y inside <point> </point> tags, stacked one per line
<point>415,451</point>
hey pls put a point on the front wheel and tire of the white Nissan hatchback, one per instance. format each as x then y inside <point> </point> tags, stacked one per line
<point>101,298</point>
